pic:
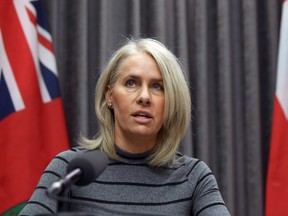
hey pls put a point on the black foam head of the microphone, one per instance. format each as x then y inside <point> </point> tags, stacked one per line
<point>91,163</point>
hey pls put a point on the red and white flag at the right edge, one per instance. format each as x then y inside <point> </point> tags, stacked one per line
<point>277,179</point>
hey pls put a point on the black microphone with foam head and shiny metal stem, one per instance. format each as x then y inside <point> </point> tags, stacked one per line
<point>81,171</point>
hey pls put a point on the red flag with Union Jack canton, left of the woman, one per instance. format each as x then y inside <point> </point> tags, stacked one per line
<point>32,124</point>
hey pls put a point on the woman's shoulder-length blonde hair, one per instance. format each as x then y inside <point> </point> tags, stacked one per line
<point>177,111</point>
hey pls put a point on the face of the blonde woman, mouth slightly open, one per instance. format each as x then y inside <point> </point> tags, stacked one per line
<point>137,99</point>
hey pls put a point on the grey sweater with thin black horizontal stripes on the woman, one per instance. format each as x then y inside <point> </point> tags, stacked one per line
<point>131,187</point>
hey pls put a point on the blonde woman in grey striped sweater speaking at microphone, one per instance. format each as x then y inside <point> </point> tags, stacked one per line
<point>143,108</point>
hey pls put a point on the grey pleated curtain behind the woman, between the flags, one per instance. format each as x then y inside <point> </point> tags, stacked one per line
<point>228,49</point>
